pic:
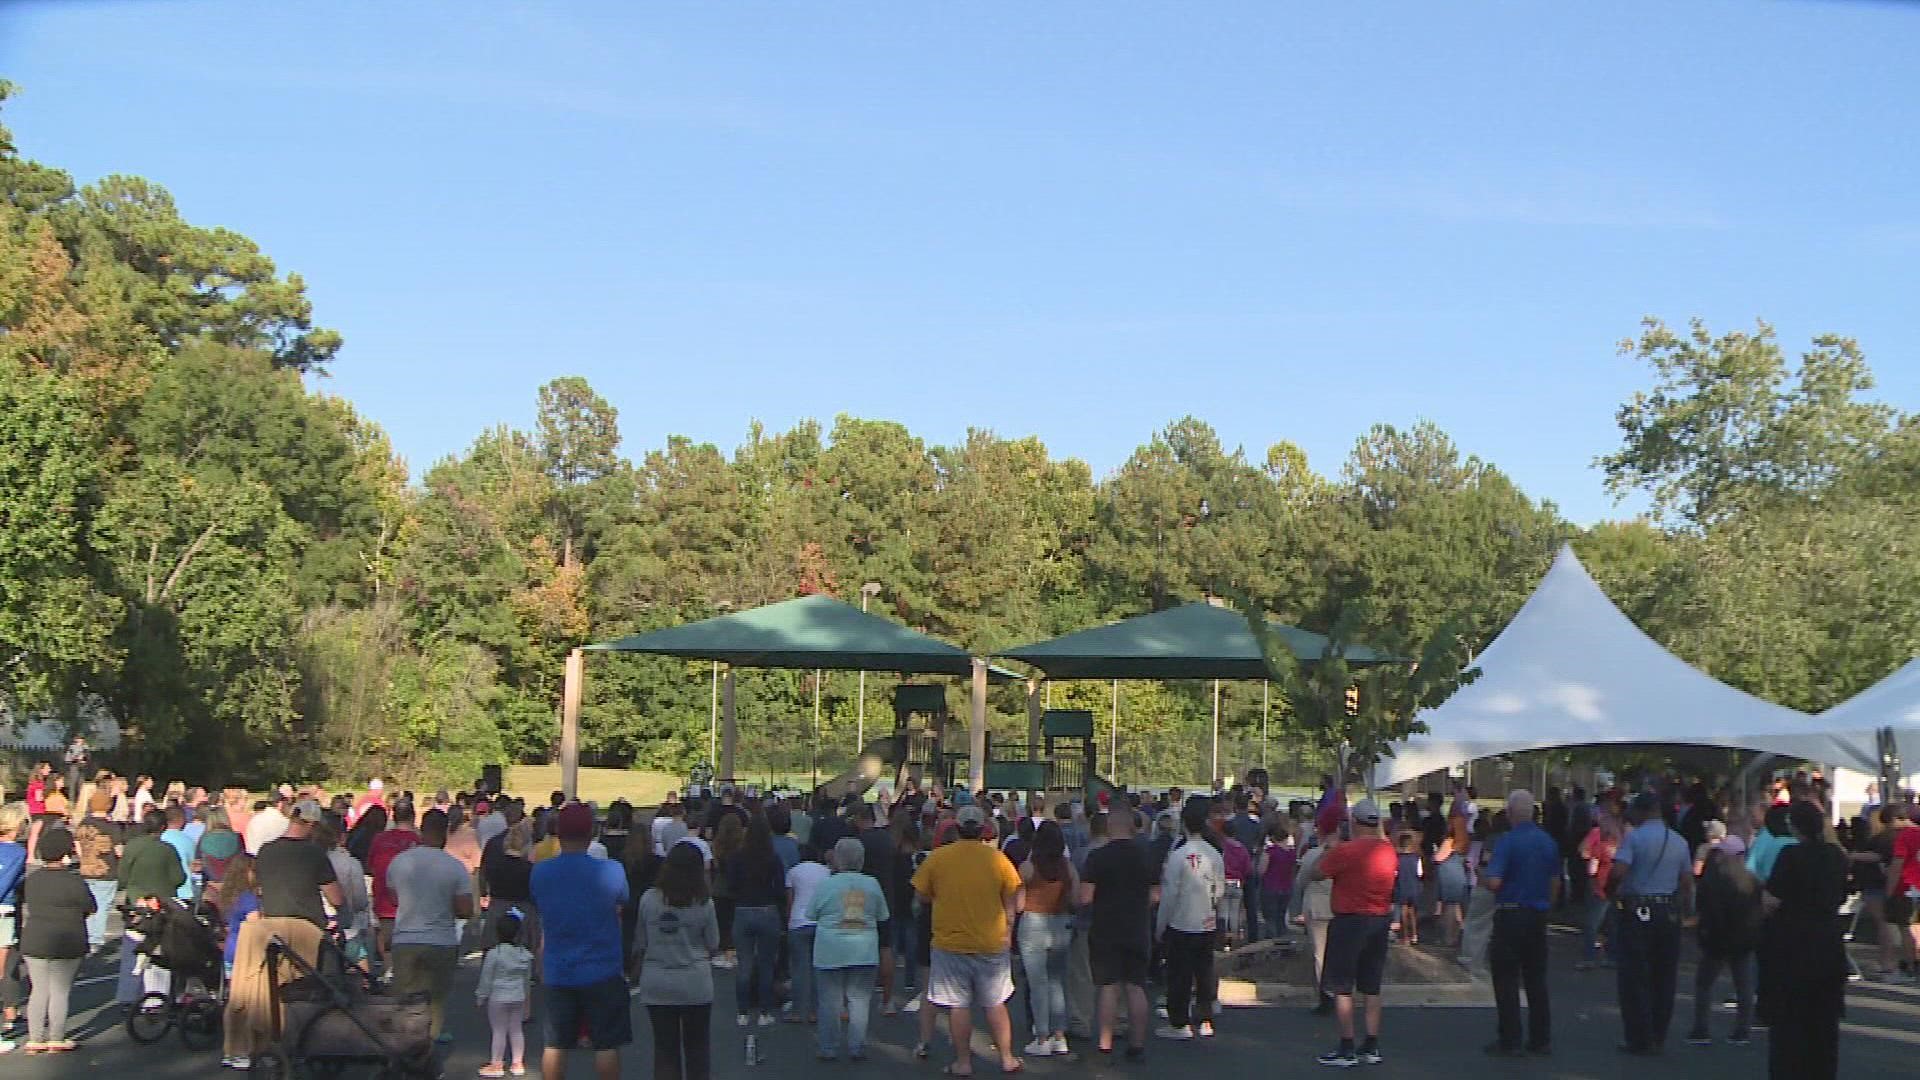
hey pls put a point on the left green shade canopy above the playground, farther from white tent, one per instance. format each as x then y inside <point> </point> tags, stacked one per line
<point>807,633</point>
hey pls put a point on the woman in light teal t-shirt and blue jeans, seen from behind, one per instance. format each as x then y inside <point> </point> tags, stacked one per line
<point>848,912</point>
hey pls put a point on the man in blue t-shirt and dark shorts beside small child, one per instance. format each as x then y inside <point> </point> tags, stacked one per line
<point>579,900</point>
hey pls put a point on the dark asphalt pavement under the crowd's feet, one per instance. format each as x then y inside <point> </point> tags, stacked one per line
<point>1881,1039</point>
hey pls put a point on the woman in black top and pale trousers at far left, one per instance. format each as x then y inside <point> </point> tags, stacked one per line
<point>53,939</point>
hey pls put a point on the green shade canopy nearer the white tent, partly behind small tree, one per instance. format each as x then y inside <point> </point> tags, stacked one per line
<point>1195,641</point>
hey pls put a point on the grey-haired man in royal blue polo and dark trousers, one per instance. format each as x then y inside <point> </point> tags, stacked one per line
<point>1524,877</point>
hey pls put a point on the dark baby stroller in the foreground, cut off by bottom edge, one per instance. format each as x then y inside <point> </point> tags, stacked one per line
<point>333,1019</point>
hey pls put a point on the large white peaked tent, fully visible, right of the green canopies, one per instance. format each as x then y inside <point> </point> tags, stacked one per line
<point>1573,670</point>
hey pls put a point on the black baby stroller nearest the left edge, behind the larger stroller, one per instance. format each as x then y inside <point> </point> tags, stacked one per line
<point>187,946</point>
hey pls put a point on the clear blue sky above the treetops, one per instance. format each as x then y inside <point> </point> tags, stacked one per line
<point>1068,220</point>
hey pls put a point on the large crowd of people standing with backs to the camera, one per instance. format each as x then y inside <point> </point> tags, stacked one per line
<point>940,904</point>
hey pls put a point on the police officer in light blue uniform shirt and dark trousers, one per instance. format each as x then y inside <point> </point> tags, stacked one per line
<point>1652,875</point>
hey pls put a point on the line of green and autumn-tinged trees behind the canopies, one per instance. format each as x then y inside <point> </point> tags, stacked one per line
<point>247,576</point>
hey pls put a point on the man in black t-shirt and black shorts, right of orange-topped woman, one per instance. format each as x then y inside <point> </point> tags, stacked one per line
<point>1118,891</point>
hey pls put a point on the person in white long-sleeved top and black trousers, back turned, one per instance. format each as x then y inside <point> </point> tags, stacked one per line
<point>1191,887</point>
